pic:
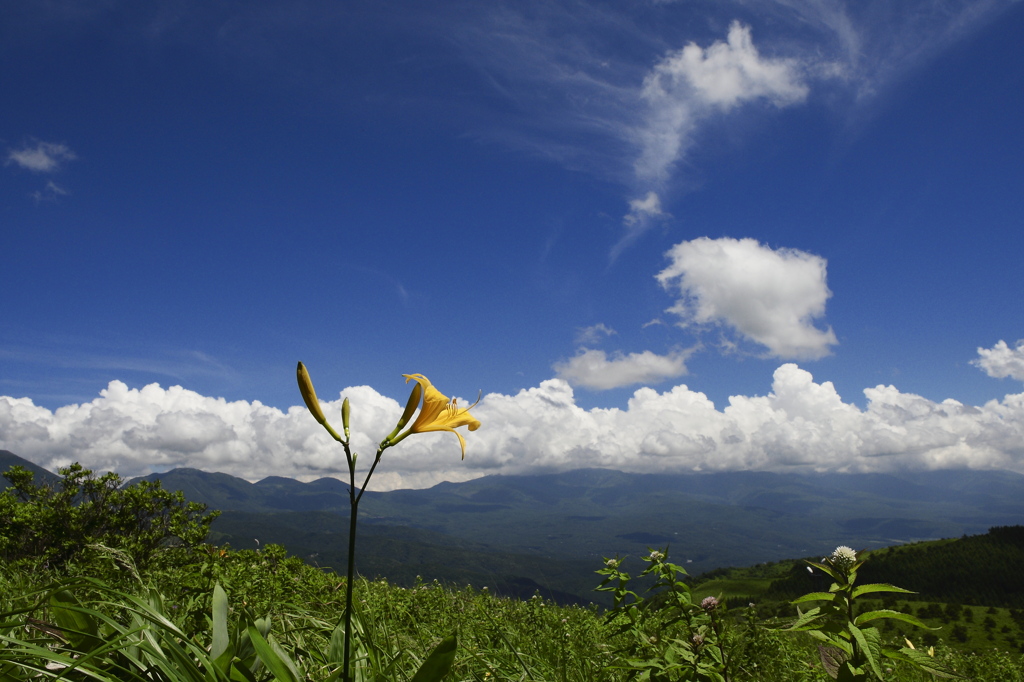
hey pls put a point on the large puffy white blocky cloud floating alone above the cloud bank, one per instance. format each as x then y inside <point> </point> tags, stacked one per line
<point>769,296</point>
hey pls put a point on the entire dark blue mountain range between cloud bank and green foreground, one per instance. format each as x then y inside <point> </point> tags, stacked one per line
<point>550,532</point>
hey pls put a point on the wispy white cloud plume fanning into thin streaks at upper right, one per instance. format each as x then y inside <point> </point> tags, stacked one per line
<point>633,112</point>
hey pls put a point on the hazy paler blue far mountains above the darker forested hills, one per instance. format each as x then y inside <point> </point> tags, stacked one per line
<point>715,520</point>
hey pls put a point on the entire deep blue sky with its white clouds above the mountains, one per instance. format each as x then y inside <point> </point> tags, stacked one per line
<point>692,198</point>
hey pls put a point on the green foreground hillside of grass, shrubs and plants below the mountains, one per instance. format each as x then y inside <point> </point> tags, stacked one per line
<point>103,582</point>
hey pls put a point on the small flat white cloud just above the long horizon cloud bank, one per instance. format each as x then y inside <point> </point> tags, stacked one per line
<point>594,370</point>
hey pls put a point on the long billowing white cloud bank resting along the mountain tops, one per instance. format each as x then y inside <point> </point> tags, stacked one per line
<point>800,425</point>
